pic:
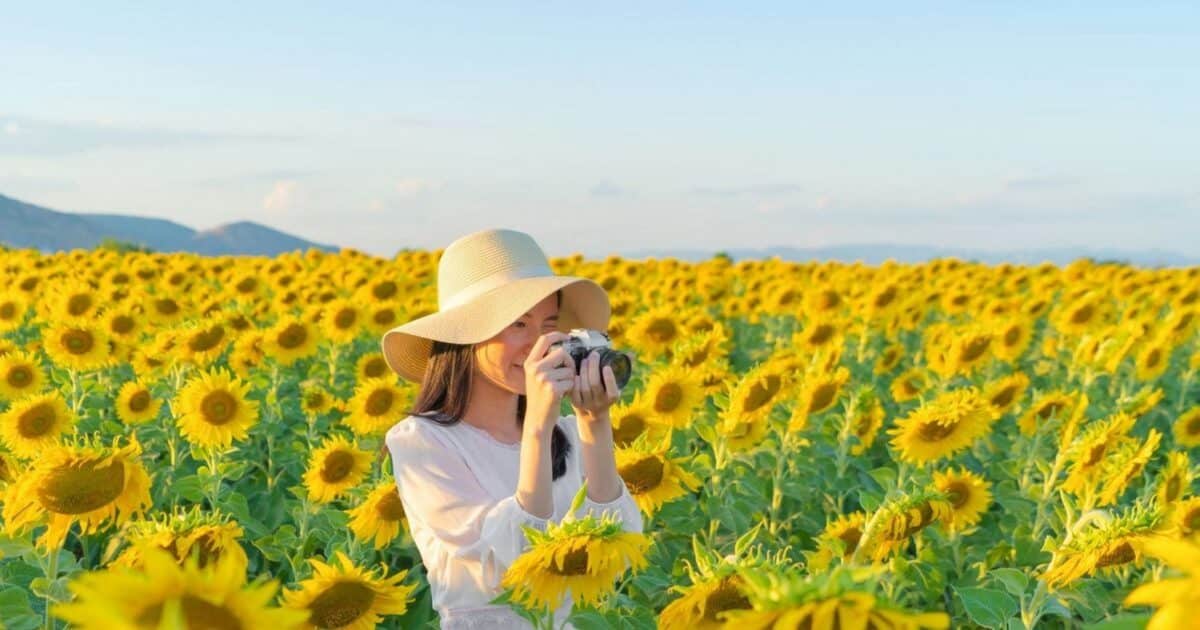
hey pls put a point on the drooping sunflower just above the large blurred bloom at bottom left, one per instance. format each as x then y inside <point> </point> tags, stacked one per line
<point>211,537</point>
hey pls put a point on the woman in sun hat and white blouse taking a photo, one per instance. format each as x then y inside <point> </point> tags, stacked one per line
<point>485,451</point>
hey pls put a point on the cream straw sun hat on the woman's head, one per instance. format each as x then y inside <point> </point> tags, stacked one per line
<point>487,281</point>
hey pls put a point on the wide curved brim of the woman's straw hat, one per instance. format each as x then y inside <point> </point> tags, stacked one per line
<point>407,347</point>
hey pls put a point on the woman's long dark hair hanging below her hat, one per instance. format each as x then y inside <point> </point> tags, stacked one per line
<point>446,391</point>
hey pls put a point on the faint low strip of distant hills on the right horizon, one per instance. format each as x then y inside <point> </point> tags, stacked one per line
<point>877,254</point>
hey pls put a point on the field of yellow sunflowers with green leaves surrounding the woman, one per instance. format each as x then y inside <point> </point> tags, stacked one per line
<point>191,442</point>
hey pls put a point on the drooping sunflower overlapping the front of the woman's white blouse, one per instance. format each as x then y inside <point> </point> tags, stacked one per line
<point>583,556</point>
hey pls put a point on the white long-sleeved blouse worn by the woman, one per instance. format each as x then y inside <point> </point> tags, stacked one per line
<point>458,485</point>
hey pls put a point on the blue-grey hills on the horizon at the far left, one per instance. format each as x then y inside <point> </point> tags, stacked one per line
<point>23,225</point>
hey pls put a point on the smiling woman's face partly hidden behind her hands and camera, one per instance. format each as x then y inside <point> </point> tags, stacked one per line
<point>501,359</point>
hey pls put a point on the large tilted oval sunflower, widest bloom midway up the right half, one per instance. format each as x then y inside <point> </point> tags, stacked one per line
<point>941,428</point>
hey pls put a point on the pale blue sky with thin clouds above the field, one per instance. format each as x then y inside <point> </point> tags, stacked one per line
<point>616,128</point>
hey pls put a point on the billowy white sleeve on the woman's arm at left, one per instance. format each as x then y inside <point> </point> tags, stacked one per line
<point>467,524</point>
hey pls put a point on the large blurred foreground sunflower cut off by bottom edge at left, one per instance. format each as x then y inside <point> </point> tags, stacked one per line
<point>165,595</point>
